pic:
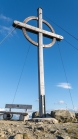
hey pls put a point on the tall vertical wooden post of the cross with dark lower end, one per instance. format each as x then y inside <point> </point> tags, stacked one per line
<point>41,67</point>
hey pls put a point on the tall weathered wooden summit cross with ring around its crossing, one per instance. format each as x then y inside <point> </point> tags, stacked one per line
<point>24,26</point>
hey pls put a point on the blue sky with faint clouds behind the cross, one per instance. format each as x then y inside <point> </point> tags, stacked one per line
<point>14,49</point>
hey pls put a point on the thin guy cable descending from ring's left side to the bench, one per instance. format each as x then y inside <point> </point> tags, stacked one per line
<point>21,74</point>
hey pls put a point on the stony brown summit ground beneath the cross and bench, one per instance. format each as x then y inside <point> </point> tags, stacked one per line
<point>37,128</point>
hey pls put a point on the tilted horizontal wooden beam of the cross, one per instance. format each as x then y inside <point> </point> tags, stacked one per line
<point>37,30</point>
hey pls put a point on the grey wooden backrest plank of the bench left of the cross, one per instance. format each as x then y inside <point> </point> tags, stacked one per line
<point>18,106</point>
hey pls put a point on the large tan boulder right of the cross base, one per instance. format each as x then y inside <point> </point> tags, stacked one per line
<point>63,116</point>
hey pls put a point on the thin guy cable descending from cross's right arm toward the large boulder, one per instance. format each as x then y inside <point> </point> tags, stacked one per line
<point>65,75</point>
